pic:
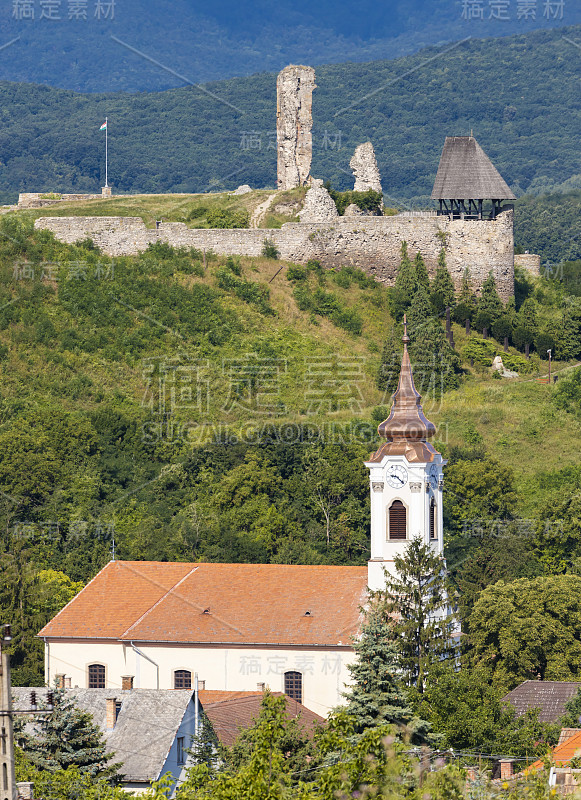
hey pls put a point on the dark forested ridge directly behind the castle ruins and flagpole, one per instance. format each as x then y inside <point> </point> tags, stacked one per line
<point>519,95</point>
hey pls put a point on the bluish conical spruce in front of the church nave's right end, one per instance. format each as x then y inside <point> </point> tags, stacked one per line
<point>376,696</point>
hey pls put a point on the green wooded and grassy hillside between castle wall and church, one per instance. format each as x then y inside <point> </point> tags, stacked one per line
<point>158,407</point>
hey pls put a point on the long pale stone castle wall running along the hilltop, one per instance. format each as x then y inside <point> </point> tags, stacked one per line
<point>369,243</point>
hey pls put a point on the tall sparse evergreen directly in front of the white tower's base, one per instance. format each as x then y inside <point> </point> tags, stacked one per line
<point>418,598</point>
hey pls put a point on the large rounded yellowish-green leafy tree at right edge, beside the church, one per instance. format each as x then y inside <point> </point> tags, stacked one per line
<point>528,629</point>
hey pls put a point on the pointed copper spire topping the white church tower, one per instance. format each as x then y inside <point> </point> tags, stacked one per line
<point>406,421</point>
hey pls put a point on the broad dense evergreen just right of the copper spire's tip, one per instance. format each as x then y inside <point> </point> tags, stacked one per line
<point>437,367</point>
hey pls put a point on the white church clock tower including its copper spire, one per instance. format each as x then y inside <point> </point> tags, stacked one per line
<point>406,480</point>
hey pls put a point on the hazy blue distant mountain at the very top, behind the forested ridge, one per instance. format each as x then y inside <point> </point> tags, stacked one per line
<point>203,40</point>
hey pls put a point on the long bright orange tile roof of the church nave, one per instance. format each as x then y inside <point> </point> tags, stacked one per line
<point>278,604</point>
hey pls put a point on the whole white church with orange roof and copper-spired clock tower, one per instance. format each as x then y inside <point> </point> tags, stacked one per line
<point>245,627</point>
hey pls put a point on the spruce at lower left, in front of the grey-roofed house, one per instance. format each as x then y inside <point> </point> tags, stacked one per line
<point>68,737</point>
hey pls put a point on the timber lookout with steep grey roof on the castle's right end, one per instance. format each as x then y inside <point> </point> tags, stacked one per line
<point>466,178</point>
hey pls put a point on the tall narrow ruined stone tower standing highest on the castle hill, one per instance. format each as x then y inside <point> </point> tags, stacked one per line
<point>294,125</point>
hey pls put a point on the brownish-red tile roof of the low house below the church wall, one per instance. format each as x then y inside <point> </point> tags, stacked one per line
<point>230,717</point>
